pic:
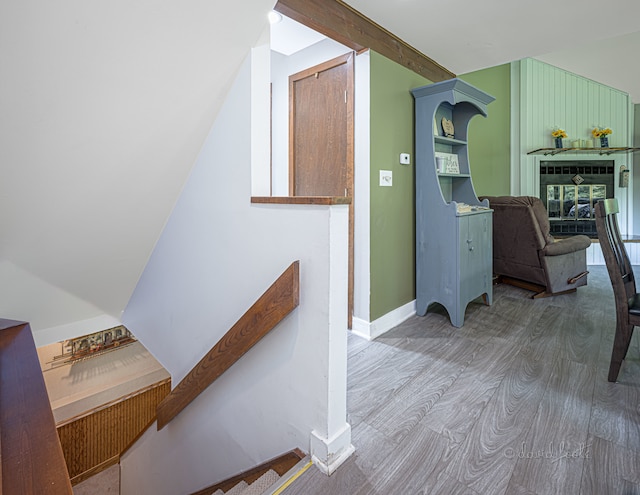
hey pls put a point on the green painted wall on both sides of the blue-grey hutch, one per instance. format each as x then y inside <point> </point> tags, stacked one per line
<point>393,208</point>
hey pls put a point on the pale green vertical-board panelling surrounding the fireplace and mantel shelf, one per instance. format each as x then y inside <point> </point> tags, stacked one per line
<point>552,97</point>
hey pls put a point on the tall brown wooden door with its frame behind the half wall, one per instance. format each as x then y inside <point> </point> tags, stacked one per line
<point>321,137</point>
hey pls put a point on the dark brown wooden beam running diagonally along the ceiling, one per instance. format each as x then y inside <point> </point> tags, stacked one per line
<point>340,22</point>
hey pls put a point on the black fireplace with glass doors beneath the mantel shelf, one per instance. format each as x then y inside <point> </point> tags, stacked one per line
<point>570,191</point>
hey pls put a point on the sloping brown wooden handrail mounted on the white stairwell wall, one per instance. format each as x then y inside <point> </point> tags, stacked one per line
<point>276,303</point>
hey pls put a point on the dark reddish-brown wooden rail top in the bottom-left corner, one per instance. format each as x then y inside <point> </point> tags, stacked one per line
<point>30,451</point>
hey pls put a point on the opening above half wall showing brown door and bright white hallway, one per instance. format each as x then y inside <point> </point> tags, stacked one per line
<point>312,120</point>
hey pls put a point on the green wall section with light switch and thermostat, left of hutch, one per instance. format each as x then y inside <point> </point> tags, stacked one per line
<point>392,208</point>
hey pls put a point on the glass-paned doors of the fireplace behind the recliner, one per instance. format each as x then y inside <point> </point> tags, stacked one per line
<point>570,202</point>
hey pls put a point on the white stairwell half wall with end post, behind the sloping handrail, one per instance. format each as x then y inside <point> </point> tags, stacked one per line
<point>216,256</point>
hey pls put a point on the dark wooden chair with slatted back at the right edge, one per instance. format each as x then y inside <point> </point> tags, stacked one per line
<point>622,279</point>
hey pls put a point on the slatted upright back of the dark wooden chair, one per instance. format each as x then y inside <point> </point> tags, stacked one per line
<point>614,252</point>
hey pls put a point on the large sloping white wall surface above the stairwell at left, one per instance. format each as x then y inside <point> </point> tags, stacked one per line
<point>105,106</point>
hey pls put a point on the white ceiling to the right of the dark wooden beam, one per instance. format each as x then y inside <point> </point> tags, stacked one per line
<point>595,39</point>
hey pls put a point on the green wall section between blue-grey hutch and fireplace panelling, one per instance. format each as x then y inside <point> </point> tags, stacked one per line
<point>489,138</point>
